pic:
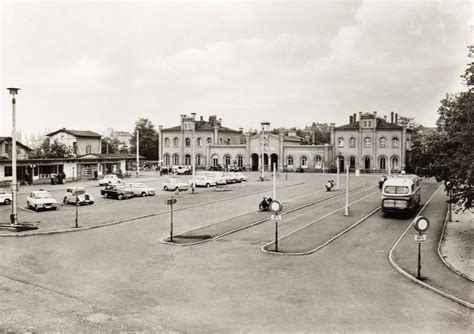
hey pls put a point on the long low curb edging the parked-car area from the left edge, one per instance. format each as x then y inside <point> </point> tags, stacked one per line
<point>84,228</point>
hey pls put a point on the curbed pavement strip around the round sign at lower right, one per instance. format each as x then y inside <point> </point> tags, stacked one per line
<point>434,271</point>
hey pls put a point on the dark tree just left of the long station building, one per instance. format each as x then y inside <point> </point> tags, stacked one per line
<point>148,139</point>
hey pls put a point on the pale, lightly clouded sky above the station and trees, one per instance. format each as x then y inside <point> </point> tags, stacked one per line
<point>96,65</point>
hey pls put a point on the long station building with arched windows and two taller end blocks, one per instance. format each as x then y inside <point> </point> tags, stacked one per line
<point>371,144</point>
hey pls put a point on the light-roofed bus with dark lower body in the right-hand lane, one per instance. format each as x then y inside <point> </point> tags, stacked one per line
<point>401,193</point>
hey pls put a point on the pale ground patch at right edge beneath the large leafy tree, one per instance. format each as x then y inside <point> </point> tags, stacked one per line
<point>456,248</point>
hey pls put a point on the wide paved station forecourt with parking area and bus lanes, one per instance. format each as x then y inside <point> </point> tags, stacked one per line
<point>119,271</point>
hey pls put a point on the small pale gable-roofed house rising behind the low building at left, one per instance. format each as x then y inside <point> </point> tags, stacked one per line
<point>80,142</point>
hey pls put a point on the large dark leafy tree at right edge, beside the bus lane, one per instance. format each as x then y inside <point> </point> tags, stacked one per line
<point>448,153</point>
